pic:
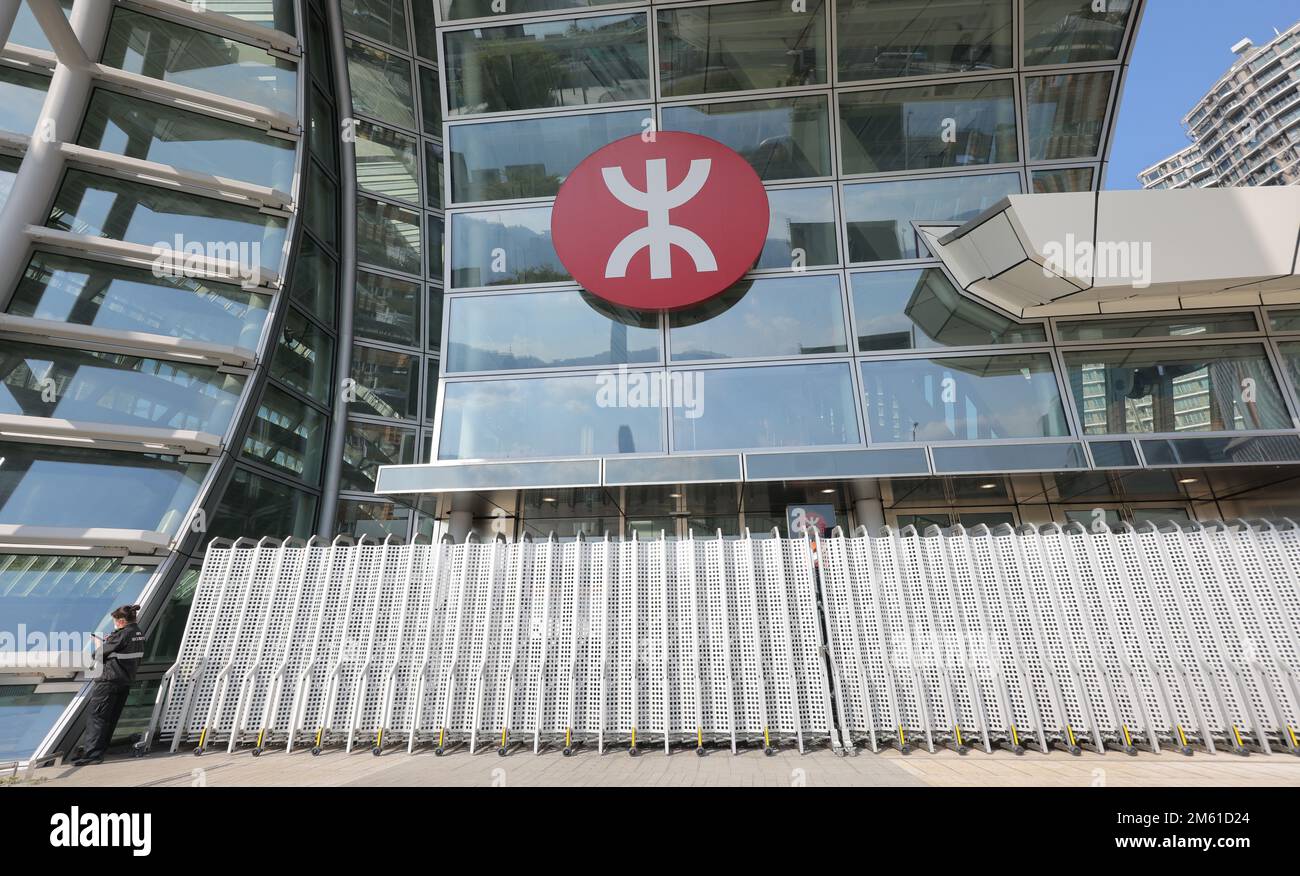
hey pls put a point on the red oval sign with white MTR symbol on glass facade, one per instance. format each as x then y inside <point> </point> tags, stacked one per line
<point>660,225</point>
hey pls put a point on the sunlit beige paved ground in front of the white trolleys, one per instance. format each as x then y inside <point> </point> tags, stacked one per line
<point>683,769</point>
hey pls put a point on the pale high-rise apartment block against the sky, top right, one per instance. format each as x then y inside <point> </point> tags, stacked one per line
<point>1246,131</point>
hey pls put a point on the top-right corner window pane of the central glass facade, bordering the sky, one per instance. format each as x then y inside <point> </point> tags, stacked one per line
<point>1069,32</point>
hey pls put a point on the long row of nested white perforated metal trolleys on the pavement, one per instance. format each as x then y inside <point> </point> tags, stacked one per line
<point>1046,638</point>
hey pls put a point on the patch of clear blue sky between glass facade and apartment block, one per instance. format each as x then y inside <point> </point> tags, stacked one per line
<point>1184,49</point>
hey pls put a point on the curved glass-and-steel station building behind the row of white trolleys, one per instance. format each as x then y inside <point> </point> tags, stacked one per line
<point>253,251</point>
